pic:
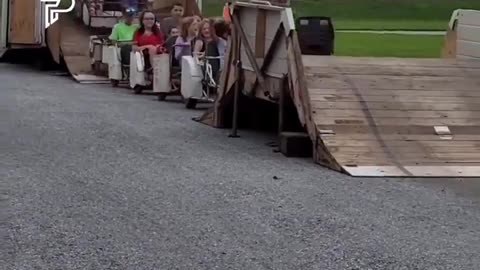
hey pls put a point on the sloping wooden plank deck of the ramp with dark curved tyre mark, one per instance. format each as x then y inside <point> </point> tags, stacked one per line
<point>395,117</point>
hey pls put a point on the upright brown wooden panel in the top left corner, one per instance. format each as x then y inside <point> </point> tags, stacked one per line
<point>22,22</point>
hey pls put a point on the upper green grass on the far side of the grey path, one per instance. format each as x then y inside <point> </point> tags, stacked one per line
<point>374,14</point>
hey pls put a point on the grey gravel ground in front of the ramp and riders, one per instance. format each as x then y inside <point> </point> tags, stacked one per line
<point>96,178</point>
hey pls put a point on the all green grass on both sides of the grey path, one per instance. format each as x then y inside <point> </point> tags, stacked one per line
<point>378,15</point>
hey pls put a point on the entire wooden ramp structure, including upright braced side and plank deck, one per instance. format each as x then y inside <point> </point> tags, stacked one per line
<point>363,116</point>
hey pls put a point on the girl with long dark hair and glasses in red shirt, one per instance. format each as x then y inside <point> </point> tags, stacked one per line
<point>148,38</point>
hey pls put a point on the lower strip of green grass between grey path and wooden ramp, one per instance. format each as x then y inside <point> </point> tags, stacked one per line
<point>388,45</point>
